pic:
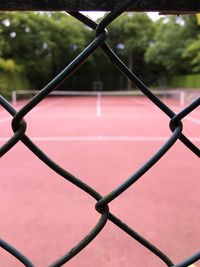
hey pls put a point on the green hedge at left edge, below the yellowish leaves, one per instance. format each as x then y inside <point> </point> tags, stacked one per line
<point>12,81</point>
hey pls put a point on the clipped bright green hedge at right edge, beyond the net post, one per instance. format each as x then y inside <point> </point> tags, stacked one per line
<point>186,81</point>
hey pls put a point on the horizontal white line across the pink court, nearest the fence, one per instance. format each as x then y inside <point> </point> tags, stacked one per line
<point>100,138</point>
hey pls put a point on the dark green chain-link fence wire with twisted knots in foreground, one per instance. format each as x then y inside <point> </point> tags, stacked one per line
<point>102,205</point>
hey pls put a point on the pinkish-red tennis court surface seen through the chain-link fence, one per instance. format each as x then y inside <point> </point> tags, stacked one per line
<point>101,141</point>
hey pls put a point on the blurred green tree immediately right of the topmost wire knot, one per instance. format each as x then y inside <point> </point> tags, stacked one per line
<point>130,36</point>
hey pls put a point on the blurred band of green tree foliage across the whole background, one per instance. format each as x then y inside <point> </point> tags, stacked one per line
<point>37,45</point>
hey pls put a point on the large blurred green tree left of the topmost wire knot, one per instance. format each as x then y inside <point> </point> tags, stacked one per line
<point>42,43</point>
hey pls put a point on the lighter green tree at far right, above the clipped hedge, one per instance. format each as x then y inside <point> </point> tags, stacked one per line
<point>173,40</point>
